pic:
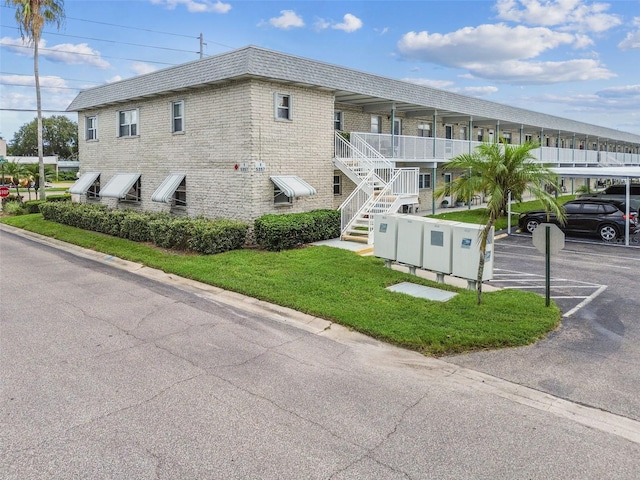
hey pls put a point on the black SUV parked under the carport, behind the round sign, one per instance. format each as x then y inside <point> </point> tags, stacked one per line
<point>588,216</point>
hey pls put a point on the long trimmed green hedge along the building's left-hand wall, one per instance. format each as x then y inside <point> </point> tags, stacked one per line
<point>194,234</point>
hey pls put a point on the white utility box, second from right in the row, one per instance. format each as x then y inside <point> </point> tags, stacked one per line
<point>437,246</point>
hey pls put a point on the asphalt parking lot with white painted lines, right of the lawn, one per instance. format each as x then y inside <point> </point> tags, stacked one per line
<point>594,357</point>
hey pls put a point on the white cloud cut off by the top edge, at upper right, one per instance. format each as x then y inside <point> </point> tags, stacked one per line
<point>574,15</point>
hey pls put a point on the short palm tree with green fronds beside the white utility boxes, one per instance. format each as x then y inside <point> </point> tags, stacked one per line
<point>497,170</point>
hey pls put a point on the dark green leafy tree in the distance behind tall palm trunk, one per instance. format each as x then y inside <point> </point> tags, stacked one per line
<point>59,137</point>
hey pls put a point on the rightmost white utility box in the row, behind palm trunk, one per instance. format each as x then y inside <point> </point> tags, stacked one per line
<point>466,252</point>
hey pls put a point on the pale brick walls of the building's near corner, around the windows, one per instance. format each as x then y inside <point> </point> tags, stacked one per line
<point>225,125</point>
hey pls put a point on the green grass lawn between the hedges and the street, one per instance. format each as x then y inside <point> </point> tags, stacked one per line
<point>341,286</point>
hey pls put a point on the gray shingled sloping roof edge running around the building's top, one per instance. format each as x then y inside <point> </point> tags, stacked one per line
<point>253,61</point>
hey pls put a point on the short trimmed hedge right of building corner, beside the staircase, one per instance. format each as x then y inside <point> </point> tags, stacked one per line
<point>291,230</point>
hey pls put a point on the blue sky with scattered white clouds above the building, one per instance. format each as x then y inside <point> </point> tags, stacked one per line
<point>577,59</point>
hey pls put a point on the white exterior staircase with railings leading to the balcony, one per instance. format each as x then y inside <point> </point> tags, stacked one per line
<point>380,187</point>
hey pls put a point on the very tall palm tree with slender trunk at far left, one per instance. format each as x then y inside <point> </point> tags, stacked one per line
<point>32,15</point>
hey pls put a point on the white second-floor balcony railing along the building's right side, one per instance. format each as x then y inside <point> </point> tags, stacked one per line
<point>405,148</point>
